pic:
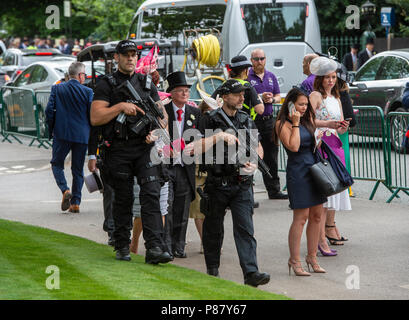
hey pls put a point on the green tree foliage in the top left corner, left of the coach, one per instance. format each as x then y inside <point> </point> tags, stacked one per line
<point>102,19</point>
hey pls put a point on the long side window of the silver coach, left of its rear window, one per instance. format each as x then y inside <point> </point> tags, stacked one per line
<point>170,22</point>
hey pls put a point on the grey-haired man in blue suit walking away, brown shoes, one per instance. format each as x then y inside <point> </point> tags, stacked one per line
<point>67,113</point>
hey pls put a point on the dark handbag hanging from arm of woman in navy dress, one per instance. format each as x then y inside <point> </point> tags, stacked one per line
<point>325,178</point>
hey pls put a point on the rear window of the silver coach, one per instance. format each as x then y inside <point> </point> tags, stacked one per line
<point>266,22</point>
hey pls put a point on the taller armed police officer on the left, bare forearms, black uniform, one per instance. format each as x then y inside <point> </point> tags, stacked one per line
<point>126,154</point>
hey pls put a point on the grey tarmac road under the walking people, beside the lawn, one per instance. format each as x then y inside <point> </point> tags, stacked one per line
<point>373,264</point>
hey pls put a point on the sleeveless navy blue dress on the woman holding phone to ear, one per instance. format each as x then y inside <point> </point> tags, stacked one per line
<point>300,185</point>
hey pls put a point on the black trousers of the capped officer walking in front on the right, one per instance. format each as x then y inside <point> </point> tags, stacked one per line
<point>239,197</point>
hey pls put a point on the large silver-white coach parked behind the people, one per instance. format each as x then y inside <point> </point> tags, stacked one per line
<point>285,29</point>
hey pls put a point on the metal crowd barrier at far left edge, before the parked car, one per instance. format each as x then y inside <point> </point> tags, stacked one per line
<point>22,116</point>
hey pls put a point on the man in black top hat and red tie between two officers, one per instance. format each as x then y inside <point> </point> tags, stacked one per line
<point>182,117</point>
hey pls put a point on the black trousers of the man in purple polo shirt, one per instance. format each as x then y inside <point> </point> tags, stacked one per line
<point>265,129</point>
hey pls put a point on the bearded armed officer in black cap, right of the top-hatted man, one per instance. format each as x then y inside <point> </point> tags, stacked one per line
<point>228,185</point>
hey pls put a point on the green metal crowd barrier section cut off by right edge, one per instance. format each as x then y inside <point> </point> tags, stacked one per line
<point>397,124</point>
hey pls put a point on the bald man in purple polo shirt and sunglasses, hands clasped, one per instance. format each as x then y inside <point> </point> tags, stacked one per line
<point>266,85</point>
